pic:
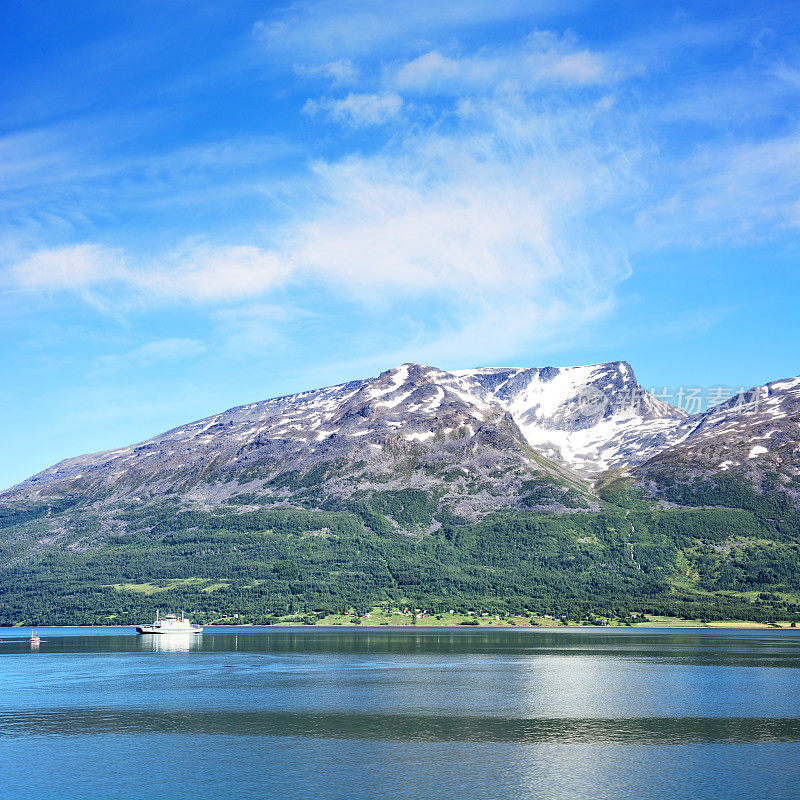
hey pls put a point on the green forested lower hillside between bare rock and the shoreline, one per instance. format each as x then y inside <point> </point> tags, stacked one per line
<point>70,565</point>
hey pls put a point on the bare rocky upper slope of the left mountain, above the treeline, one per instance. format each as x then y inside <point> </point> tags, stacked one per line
<point>412,426</point>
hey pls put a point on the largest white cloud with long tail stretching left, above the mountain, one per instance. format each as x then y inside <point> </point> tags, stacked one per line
<point>483,220</point>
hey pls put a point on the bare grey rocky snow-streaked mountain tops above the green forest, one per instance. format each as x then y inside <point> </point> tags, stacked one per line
<point>483,433</point>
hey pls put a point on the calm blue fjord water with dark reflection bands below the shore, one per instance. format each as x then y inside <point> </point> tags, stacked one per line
<point>400,713</point>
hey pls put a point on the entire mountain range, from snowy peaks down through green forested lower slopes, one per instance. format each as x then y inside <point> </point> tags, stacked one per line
<point>563,490</point>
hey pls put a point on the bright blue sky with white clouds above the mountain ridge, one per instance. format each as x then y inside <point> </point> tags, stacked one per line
<point>207,204</point>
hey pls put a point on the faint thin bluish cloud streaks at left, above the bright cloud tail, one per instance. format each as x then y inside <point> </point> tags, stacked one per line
<point>64,179</point>
